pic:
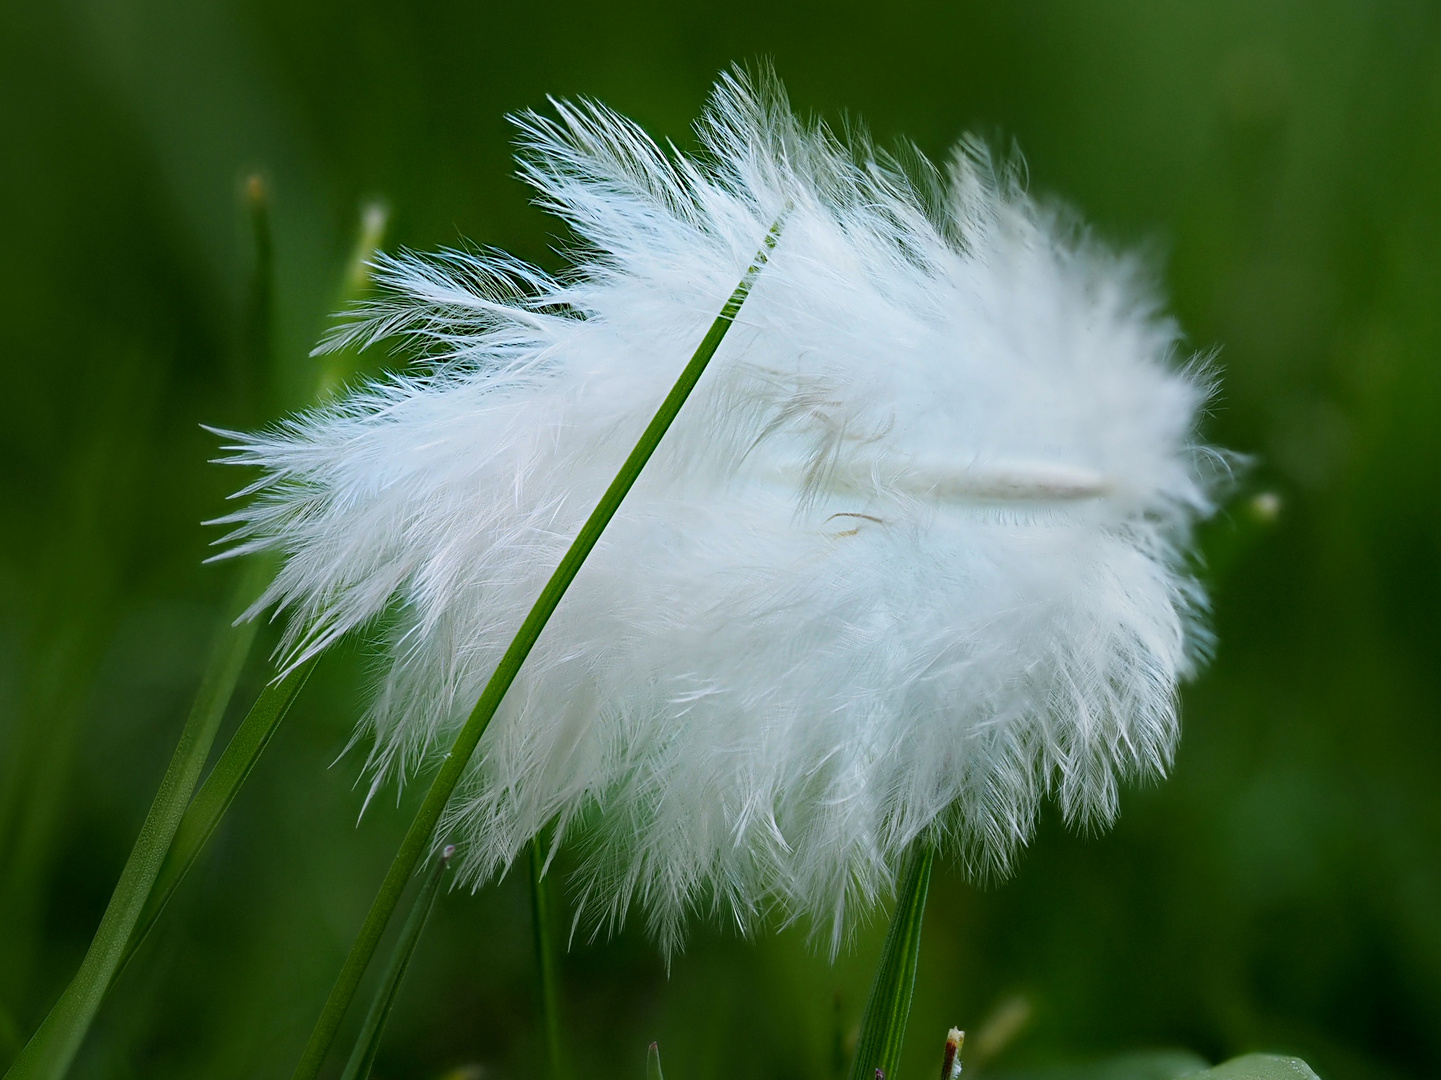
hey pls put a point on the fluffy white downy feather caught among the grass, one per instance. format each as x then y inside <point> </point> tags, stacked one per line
<point>910,562</point>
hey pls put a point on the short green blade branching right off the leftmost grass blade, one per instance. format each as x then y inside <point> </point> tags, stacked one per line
<point>217,795</point>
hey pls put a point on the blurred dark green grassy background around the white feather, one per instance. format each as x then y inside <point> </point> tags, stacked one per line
<point>1282,162</point>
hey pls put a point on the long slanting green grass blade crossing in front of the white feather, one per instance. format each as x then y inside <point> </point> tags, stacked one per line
<point>419,838</point>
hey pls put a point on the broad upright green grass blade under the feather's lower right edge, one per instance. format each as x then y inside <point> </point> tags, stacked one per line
<point>888,1009</point>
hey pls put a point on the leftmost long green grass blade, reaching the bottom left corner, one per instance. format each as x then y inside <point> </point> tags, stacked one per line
<point>51,1050</point>
